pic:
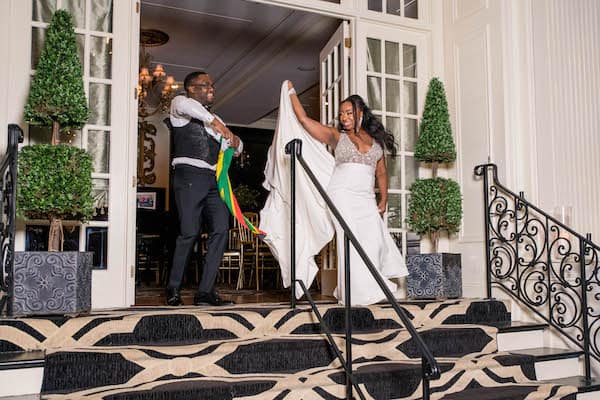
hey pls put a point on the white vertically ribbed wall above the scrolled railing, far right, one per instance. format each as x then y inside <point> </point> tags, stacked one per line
<point>566,65</point>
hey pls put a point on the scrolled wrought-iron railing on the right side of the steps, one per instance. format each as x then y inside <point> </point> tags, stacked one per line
<point>545,265</point>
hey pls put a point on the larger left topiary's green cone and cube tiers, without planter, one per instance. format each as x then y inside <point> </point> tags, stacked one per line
<point>54,181</point>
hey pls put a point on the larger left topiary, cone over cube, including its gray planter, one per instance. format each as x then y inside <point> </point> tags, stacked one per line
<point>54,181</point>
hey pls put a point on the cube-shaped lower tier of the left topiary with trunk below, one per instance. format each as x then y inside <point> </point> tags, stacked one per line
<point>54,183</point>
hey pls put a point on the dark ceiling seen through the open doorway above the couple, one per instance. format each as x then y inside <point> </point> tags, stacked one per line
<point>247,48</point>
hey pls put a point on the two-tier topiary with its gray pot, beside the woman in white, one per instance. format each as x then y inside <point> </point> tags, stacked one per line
<point>435,204</point>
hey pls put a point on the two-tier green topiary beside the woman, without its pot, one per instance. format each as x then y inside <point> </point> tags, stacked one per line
<point>435,204</point>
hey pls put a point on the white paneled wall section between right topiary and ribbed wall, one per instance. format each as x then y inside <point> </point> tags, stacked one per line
<point>473,38</point>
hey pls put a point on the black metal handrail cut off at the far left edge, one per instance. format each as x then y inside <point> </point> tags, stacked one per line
<point>8,193</point>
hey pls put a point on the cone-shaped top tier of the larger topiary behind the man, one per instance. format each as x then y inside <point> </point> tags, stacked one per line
<point>57,97</point>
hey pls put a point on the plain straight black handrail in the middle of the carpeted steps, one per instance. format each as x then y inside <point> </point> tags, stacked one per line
<point>429,366</point>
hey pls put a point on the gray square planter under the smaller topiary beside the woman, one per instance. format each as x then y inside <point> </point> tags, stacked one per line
<point>432,276</point>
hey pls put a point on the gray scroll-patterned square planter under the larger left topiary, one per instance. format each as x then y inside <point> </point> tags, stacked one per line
<point>51,282</point>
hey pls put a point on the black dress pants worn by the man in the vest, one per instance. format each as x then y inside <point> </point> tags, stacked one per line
<point>197,197</point>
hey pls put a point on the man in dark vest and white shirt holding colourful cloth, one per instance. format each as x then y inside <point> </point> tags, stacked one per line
<point>196,136</point>
